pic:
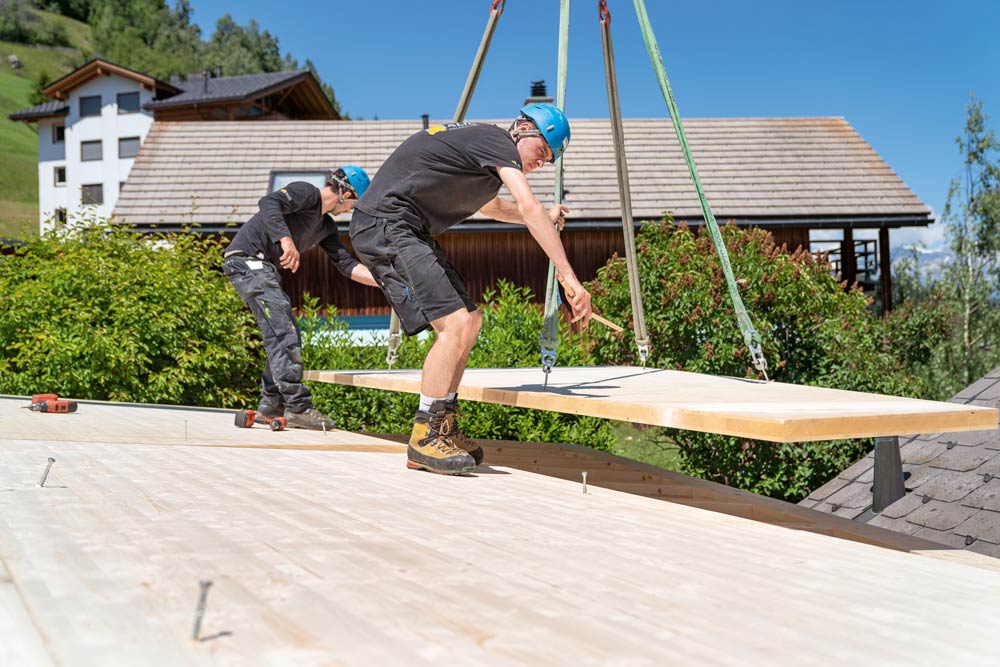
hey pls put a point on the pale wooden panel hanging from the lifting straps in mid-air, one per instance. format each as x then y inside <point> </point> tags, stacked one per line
<point>727,406</point>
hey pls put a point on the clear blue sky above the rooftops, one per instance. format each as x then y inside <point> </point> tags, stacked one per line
<point>899,71</point>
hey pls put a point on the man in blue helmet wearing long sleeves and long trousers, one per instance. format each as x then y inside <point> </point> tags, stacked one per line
<point>290,221</point>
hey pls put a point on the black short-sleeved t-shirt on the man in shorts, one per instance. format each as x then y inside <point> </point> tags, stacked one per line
<point>441,176</point>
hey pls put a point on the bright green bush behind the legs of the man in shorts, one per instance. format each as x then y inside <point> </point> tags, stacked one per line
<point>508,339</point>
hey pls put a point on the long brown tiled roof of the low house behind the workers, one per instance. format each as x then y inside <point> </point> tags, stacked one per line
<point>804,172</point>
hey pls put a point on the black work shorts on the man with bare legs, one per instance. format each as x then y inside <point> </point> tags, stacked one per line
<point>416,277</point>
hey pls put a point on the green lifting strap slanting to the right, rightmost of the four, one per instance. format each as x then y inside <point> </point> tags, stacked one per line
<point>750,336</point>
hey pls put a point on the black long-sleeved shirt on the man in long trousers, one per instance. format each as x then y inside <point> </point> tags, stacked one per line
<point>295,210</point>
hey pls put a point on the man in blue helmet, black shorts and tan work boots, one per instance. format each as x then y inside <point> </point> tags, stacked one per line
<point>434,180</point>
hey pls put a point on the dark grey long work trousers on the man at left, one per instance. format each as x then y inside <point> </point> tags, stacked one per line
<point>259,285</point>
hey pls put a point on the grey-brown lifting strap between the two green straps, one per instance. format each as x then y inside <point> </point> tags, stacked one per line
<point>628,226</point>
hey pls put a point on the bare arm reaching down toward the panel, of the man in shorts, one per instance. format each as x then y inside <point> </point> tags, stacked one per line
<point>539,223</point>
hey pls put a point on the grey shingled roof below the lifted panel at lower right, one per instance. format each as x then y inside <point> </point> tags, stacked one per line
<point>952,484</point>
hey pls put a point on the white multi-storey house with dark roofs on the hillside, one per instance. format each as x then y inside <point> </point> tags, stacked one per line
<point>91,132</point>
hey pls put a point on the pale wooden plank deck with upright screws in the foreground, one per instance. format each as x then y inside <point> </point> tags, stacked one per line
<point>326,556</point>
